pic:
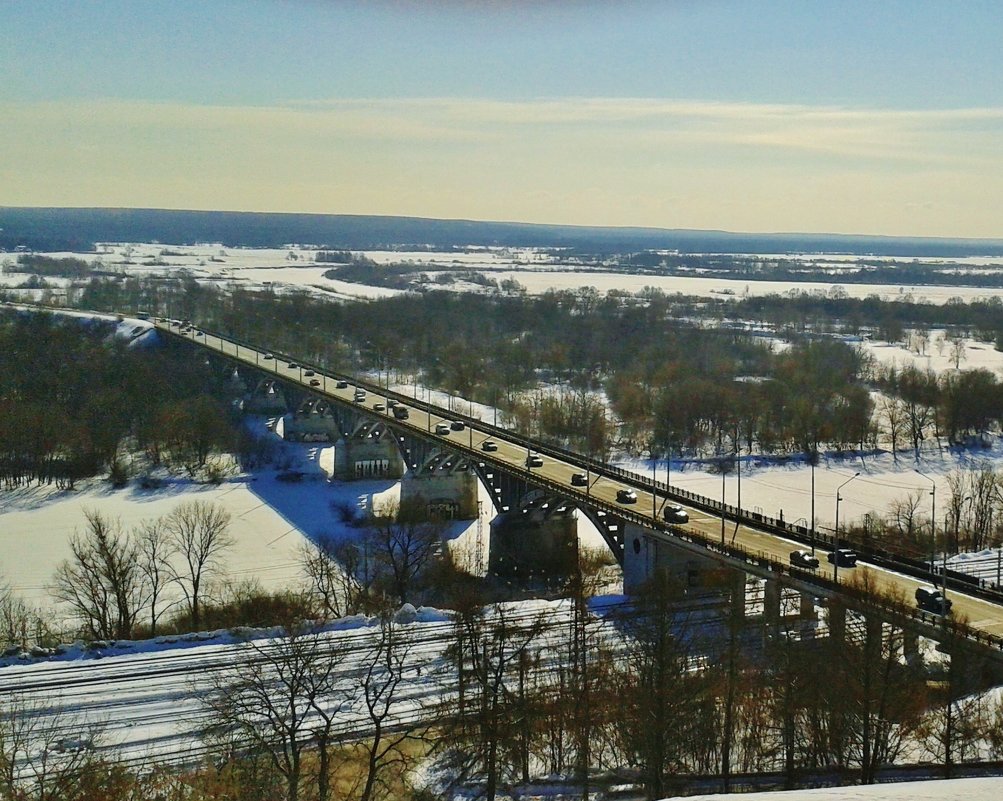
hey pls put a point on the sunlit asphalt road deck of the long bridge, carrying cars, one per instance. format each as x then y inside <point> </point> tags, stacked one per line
<point>751,549</point>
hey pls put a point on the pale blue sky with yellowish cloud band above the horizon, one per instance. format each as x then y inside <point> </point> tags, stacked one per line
<point>848,117</point>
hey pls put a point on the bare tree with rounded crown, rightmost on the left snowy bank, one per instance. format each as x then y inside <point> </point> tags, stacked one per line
<point>200,535</point>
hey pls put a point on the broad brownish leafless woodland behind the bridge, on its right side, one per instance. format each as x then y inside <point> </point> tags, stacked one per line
<point>675,384</point>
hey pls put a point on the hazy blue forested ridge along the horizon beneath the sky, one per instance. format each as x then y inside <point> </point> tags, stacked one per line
<point>80,229</point>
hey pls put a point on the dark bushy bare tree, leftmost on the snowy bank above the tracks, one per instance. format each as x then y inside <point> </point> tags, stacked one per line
<point>102,582</point>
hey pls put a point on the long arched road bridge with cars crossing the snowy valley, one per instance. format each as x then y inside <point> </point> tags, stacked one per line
<point>882,587</point>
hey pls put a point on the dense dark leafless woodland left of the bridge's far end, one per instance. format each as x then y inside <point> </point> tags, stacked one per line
<point>72,397</point>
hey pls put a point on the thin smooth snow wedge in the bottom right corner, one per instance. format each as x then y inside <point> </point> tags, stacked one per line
<point>981,789</point>
